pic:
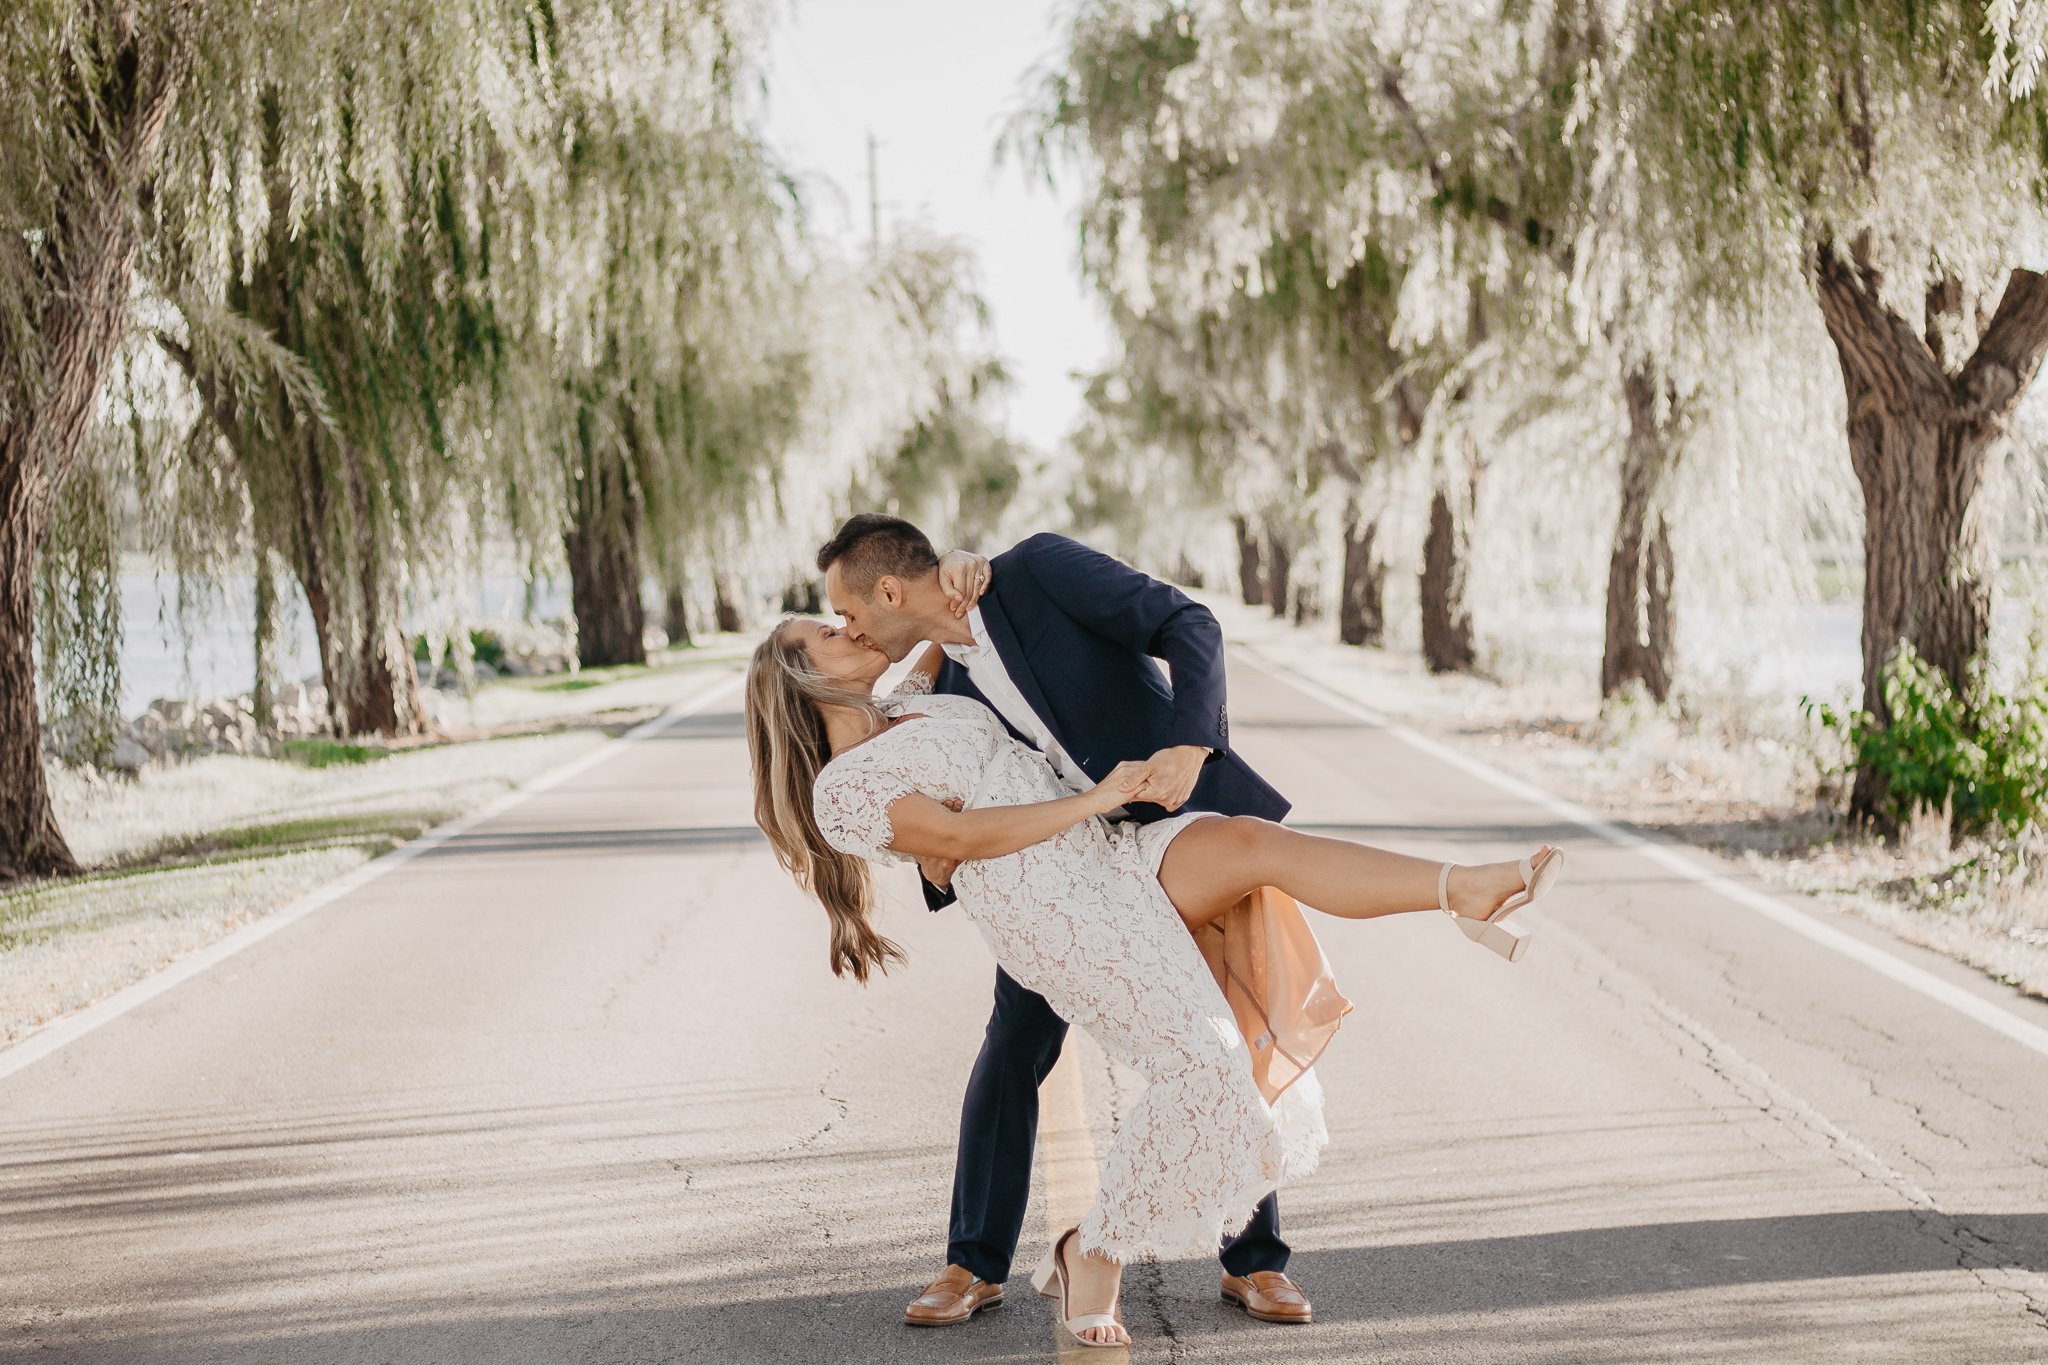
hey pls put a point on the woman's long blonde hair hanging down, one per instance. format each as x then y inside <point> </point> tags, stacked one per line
<point>787,744</point>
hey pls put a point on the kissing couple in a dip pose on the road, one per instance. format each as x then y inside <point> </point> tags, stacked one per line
<point>1095,824</point>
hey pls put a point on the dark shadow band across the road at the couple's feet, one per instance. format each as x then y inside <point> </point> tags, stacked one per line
<point>1404,1298</point>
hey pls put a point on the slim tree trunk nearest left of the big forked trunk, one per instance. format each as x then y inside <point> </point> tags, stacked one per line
<point>1639,572</point>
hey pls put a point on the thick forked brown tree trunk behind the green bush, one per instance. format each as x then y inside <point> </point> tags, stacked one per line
<point>1920,441</point>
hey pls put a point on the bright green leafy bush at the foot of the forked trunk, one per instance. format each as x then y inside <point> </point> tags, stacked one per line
<point>1983,758</point>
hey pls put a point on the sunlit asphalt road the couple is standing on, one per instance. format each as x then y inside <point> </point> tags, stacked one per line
<point>577,1086</point>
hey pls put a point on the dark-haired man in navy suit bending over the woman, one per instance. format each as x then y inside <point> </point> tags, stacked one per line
<point>1060,642</point>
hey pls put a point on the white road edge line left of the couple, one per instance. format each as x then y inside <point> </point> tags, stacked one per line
<point>46,1041</point>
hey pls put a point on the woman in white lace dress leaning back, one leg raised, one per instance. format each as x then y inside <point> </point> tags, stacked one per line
<point>1095,918</point>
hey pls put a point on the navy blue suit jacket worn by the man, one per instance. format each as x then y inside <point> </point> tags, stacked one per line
<point>1078,635</point>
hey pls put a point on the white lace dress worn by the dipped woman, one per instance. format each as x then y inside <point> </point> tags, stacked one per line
<point>1084,922</point>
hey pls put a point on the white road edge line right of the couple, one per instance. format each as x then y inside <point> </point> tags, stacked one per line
<point>1799,922</point>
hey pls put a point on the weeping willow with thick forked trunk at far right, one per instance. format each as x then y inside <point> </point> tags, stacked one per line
<point>1869,152</point>
